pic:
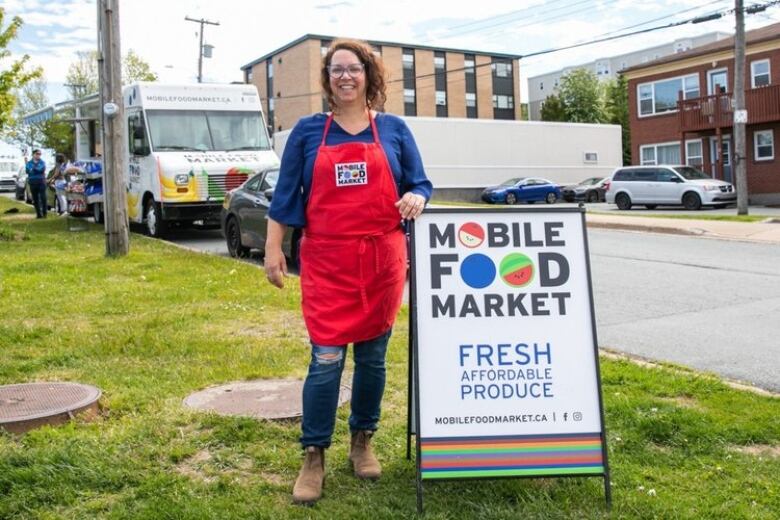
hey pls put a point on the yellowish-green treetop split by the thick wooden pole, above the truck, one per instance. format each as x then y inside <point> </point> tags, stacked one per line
<point>82,74</point>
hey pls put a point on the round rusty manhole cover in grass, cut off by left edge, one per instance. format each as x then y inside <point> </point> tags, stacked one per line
<point>31,405</point>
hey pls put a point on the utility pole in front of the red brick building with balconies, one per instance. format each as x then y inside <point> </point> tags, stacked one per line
<point>740,114</point>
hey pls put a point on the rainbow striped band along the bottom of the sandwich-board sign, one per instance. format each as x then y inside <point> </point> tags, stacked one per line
<point>517,455</point>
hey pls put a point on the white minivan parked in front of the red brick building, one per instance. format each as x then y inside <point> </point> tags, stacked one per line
<point>675,185</point>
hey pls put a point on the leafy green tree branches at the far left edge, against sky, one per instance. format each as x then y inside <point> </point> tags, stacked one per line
<point>15,76</point>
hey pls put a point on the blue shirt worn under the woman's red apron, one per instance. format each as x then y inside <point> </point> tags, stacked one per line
<point>288,205</point>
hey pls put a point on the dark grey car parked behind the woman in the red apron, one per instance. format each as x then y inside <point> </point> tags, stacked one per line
<point>244,217</point>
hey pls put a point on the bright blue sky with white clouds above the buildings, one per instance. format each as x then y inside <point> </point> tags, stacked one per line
<point>54,30</point>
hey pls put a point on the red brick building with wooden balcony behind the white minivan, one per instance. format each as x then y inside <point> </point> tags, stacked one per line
<point>681,110</point>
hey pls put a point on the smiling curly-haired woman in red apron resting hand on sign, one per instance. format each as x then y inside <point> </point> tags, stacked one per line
<point>340,180</point>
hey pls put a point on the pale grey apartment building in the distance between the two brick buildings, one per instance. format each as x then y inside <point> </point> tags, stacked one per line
<point>543,85</point>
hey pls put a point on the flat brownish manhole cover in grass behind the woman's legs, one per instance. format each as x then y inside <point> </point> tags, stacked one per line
<point>262,399</point>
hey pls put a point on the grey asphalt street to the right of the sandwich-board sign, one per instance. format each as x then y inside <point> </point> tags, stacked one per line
<point>703,303</point>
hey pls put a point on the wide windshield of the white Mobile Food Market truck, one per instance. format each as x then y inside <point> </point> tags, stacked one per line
<point>203,131</point>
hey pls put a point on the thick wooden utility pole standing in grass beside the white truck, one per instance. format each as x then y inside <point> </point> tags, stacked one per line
<point>113,129</point>
